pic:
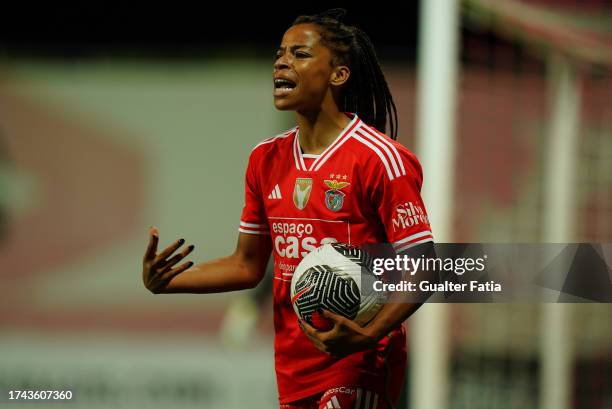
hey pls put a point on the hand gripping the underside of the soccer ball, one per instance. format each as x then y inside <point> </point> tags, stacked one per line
<point>345,338</point>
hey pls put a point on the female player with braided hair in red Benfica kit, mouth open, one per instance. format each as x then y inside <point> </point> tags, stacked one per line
<point>334,177</point>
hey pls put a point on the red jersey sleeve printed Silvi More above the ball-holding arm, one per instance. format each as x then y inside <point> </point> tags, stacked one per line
<point>398,201</point>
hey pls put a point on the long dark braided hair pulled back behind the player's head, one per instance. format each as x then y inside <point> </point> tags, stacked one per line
<point>366,92</point>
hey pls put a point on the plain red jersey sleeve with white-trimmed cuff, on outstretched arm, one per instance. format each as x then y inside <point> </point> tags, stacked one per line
<point>253,219</point>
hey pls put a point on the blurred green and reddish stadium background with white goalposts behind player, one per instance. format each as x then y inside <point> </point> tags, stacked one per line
<point>112,121</point>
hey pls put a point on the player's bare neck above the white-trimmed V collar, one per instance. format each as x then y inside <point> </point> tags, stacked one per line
<point>319,129</point>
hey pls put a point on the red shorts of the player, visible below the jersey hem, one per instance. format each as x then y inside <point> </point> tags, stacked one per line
<point>344,398</point>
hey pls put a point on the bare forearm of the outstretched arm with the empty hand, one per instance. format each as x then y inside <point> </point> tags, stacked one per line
<point>220,275</point>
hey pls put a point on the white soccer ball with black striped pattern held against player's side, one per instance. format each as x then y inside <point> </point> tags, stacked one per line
<point>338,278</point>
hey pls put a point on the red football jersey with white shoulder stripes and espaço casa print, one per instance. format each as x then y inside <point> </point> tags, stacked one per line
<point>364,188</point>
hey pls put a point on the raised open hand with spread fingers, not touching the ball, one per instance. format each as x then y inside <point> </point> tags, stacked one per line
<point>158,269</point>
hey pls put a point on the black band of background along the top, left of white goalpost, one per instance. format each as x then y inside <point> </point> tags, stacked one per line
<point>174,30</point>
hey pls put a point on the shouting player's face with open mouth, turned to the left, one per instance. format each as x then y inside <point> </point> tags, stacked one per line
<point>302,70</point>
